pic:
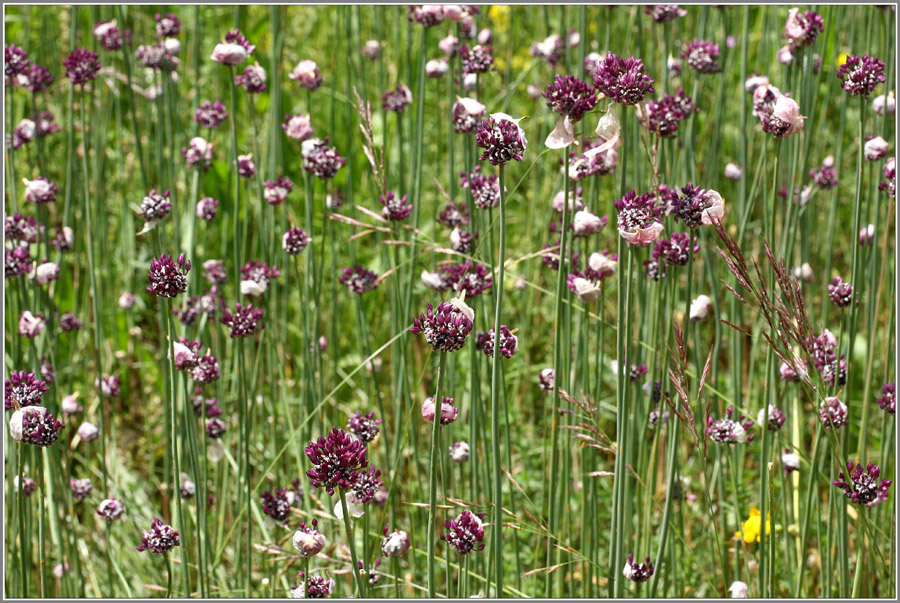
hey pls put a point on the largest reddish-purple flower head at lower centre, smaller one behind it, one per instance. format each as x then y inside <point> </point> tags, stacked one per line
<point>336,460</point>
